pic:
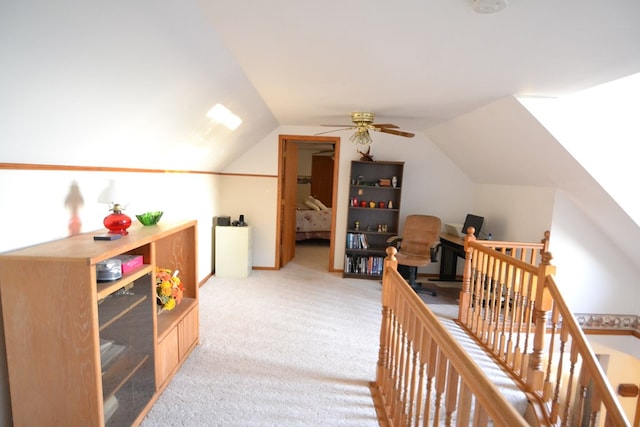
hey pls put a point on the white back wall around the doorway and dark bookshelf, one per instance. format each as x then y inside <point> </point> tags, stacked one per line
<point>432,183</point>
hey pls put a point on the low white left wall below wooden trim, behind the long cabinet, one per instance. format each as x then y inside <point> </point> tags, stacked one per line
<point>34,210</point>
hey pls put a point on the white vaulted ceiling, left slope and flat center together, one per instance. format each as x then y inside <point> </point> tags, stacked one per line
<point>139,77</point>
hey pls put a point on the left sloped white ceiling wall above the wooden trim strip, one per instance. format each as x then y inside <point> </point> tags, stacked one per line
<point>129,81</point>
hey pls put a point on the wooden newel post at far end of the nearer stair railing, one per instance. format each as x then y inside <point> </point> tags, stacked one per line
<point>390,263</point>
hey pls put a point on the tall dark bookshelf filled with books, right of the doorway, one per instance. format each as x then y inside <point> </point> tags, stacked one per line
<point>374,208</point>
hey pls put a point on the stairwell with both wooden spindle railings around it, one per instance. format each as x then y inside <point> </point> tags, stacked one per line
<point>514,356</point>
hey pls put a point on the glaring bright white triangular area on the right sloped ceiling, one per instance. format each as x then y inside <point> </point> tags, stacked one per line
<point>598,127</point>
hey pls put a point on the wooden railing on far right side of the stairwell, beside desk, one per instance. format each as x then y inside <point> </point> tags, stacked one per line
<point>510,303</point>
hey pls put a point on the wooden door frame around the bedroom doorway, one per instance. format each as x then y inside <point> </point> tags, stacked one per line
<point>304,139</point>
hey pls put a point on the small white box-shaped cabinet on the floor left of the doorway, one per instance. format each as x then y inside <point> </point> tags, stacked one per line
<point>233,251</point>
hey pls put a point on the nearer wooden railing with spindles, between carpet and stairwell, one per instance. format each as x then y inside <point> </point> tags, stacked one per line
<point>424,377</point>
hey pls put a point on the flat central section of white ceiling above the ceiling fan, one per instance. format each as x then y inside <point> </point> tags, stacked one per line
<point>421,62</point>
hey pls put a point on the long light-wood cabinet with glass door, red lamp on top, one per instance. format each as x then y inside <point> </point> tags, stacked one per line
<point>82,352</point>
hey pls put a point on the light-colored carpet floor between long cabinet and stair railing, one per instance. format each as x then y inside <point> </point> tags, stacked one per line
<point>295,347</point>
